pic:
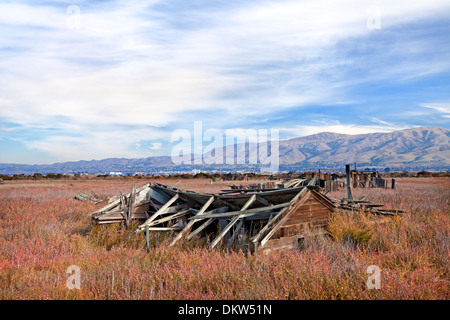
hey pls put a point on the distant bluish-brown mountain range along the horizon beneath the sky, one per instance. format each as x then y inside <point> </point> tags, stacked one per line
<point>416,149</point>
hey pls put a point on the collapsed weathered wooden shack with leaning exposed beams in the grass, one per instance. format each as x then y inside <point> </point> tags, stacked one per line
<point>261,220</point>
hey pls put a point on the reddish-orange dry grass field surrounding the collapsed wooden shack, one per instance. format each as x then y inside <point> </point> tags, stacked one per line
<point>44,230</point>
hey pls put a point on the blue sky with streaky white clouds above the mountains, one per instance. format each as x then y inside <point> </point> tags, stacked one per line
<point>83,80</point>
